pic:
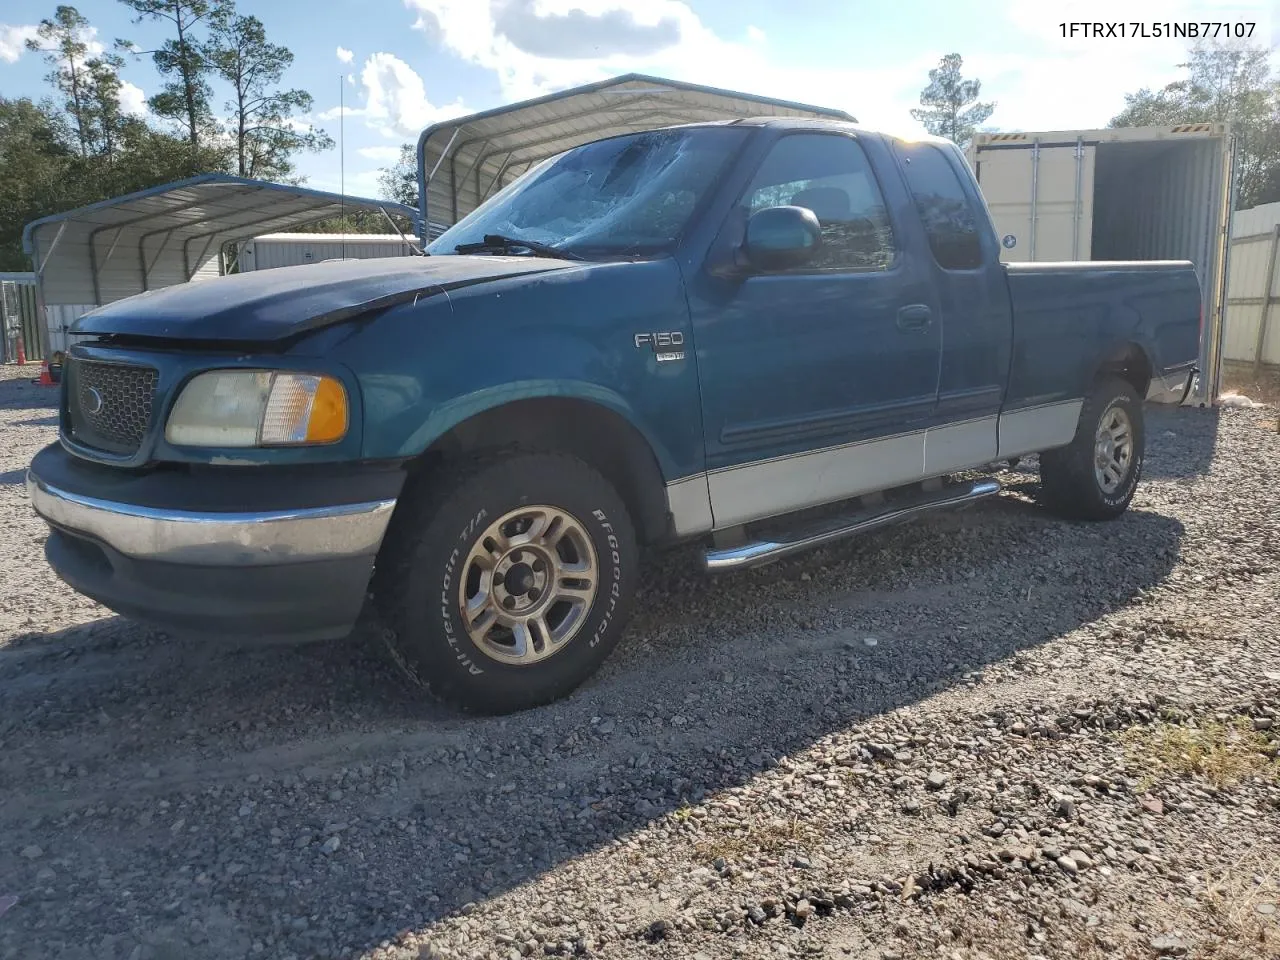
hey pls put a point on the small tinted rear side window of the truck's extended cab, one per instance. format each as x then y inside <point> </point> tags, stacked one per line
<point>949,218</point>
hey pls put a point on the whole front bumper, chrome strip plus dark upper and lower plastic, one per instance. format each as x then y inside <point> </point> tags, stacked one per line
<point>264,569</point>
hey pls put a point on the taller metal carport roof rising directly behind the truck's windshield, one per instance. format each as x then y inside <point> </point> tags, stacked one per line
<point>464,162</point>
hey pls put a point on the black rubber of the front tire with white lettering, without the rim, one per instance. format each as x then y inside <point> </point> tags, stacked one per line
<point>440,523</point>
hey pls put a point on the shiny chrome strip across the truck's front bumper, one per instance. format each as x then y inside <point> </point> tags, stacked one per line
<point>217,540</point>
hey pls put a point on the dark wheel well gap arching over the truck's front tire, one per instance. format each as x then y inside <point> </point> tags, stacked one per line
<point>593,433</point>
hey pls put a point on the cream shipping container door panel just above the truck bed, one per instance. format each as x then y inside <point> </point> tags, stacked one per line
<point>1041,196</point>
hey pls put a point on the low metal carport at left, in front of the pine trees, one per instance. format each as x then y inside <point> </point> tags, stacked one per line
<point>167,235</point>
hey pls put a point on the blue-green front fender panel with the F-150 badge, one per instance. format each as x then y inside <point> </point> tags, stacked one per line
<point>427,368</point>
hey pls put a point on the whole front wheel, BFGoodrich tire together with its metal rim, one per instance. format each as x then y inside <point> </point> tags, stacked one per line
<point>458,555</point>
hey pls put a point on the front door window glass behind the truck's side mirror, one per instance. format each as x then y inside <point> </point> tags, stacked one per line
<point>831,176</point>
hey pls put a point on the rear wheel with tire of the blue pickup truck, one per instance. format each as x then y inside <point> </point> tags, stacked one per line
<point>1072,484</point>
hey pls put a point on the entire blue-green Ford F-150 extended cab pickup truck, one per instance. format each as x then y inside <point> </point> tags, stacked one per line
<point>764,336</point>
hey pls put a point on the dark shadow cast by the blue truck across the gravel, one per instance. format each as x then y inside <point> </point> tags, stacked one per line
<point>715,682</point>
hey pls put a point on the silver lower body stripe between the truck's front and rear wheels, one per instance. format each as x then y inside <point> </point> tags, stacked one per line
<point>740,495</point>
